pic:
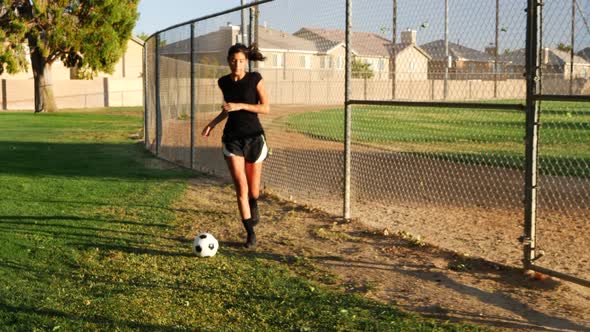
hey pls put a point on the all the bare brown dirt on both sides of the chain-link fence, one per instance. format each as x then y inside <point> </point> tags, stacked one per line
<point>474,210</point>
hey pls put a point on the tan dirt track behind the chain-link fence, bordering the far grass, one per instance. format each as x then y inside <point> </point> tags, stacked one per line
<point>469,208</point>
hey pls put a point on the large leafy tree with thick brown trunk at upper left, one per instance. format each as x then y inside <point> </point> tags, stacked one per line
<point>88,34</point>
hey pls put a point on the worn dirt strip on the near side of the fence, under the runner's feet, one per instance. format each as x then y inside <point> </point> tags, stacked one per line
<point>394,268</point>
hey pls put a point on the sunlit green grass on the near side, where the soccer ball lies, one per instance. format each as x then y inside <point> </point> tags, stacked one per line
<point>87,233</point>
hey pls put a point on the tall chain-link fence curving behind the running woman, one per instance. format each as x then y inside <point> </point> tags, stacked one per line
<point>442,103</point>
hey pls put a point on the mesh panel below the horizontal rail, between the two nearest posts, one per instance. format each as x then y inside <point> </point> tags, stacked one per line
<point>423,170</point>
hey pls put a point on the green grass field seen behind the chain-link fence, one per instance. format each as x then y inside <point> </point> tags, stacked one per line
<point>490,137</point>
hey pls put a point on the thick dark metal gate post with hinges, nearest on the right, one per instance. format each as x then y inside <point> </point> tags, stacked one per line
<point>532,129</point>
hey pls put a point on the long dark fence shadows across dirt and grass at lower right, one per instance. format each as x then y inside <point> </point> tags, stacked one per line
<point>532,319</point>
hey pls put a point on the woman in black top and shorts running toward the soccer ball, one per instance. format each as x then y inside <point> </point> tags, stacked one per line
<point>244,145</point>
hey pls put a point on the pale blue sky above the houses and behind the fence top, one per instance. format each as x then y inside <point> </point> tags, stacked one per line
<point>471,23</point>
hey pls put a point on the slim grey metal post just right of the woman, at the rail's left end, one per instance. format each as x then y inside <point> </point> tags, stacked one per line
<point>347,110</point>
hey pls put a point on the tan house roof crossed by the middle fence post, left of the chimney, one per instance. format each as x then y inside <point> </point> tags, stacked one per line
<point>363,43</point>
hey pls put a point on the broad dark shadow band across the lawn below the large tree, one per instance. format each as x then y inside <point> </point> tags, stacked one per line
<point>107,160</point>
